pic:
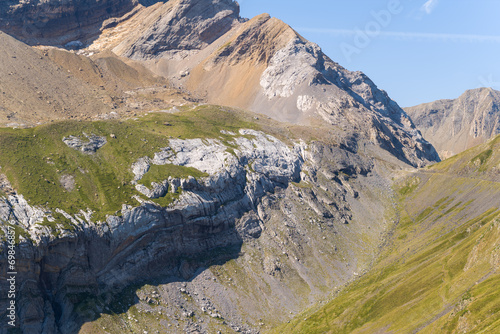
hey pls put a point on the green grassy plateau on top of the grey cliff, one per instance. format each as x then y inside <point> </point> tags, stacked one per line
<point>36,159</point>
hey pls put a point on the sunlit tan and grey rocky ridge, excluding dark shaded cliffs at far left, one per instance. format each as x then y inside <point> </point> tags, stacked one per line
<point>263,65</point>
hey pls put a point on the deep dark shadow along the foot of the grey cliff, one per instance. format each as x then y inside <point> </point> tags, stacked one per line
<point>74,305</point>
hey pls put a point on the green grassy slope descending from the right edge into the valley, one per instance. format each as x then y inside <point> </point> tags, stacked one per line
<point>441,271</point>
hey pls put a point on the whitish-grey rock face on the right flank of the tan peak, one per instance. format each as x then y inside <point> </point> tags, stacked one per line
<point>301,77</point>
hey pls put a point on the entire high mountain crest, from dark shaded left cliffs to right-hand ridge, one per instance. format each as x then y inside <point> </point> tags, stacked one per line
<point>205,47</point>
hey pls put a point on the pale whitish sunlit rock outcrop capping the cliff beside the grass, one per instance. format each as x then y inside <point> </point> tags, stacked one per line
<point>258,154</point>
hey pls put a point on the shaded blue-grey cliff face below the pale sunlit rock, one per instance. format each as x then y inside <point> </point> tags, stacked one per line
<point>83,276</point>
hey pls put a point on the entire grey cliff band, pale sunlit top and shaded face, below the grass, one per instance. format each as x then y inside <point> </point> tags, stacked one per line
<point>206,216</point>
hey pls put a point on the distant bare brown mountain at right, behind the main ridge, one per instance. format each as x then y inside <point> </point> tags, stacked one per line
<point>454,126</point>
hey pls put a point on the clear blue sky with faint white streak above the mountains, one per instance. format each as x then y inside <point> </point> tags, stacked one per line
<point>417,50</point>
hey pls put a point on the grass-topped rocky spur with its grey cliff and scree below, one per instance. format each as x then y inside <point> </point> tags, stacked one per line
<point>103,206</point>
